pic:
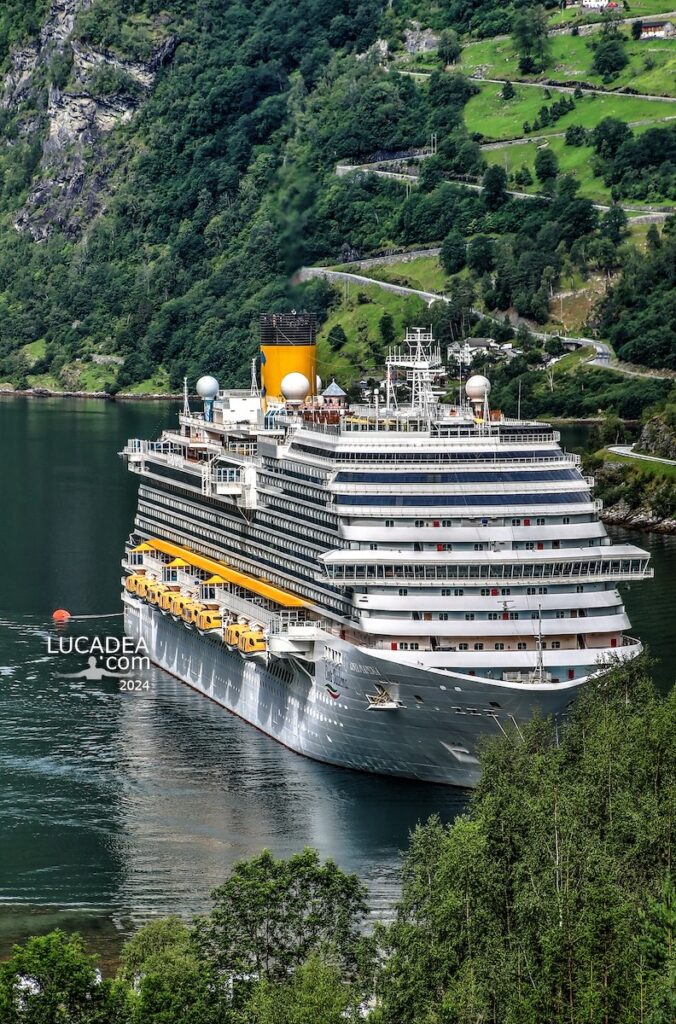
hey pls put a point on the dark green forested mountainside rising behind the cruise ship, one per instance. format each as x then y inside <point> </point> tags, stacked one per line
<point>222,183</point>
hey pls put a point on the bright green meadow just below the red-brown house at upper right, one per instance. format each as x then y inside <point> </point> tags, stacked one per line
<point>572,61</point>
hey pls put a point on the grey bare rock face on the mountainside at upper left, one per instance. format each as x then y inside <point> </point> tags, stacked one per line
<point>67,194</point>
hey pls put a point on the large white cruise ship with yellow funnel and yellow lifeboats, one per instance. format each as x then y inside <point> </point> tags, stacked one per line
<point>376,586</point>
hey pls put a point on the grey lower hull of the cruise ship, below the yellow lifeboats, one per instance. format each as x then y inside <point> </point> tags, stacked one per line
<point>324,714</point>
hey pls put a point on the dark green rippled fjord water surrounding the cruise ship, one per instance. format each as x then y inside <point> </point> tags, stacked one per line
<point>116,807</point>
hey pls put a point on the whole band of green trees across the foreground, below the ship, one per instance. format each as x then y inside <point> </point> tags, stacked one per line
<point>552,900</point>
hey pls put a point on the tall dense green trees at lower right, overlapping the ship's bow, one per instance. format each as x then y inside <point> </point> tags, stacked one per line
<point>532,908</point>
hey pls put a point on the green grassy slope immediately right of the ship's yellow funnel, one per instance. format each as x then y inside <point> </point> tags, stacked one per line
<point>361,322</point>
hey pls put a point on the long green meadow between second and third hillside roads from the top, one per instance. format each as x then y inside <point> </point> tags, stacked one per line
<point>496,119</point>
